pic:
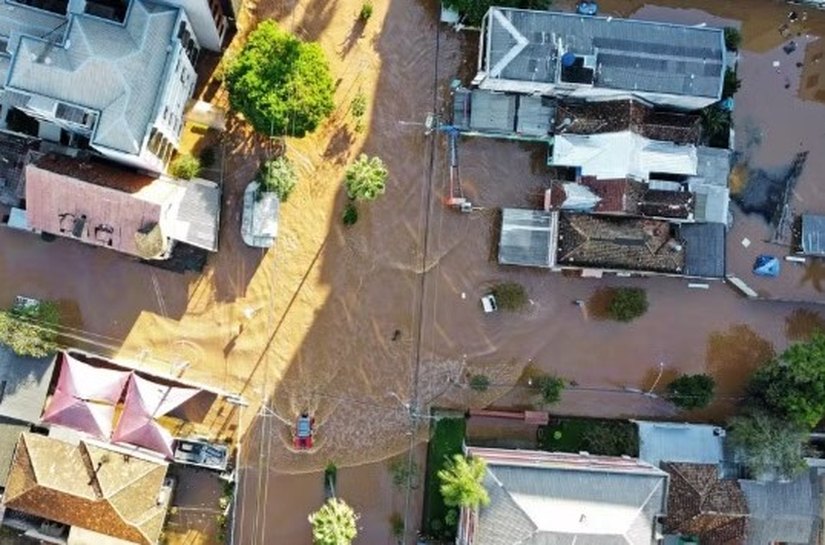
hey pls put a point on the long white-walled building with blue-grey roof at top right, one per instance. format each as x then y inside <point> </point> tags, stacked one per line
<point>600,58</point>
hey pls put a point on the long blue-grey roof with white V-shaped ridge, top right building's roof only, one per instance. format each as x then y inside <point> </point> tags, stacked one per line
<point>630,54</point>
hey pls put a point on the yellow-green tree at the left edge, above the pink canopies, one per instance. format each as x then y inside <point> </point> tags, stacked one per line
<point>30,330</point>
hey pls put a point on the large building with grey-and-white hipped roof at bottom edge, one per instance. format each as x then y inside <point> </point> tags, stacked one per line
<point>543,497</point>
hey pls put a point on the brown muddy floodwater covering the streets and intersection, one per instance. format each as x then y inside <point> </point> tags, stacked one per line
<point>351,324</point>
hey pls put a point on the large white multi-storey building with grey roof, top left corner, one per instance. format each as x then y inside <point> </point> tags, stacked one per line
<point>113,78</point>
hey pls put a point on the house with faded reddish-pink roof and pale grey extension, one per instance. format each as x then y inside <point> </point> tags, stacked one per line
<point>132,213</point>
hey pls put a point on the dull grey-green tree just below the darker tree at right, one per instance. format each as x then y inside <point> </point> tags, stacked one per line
<point>768,444</point>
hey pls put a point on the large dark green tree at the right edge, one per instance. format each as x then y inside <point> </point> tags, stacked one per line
<point>793,385</point>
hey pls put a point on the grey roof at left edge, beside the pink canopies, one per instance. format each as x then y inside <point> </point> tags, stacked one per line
<point>24,383</point>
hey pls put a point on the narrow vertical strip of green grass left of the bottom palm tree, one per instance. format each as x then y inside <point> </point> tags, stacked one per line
<point>447,438</point>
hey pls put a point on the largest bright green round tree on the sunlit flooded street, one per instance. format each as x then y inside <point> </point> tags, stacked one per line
<point>280,84</point>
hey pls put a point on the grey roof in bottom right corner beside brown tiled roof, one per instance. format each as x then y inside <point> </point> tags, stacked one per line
<point>784,512</point>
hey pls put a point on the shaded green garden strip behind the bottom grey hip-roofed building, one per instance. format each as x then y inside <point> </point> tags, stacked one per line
<point>603,437</point>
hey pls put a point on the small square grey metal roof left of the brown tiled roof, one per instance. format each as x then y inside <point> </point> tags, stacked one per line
<point>528,238</point>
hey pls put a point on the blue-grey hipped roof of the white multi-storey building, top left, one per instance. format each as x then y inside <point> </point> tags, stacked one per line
<point>115,69</point>
